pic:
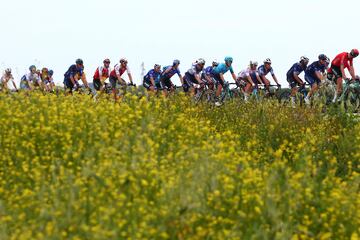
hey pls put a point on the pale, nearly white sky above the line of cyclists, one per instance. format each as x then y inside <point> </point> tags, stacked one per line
<point>55,33</point>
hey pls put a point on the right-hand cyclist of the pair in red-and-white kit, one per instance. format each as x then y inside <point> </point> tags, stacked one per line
<point>117,72</point>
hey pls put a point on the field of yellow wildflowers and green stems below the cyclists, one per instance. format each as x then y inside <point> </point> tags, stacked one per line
<point>72,168</point>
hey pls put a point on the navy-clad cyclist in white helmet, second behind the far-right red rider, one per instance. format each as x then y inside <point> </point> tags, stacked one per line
<point>293,78</point>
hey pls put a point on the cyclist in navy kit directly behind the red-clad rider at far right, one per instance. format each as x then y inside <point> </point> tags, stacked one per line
<point>314,75</point>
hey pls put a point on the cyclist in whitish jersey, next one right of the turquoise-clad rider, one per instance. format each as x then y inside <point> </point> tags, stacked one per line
<point>248,79</point>
